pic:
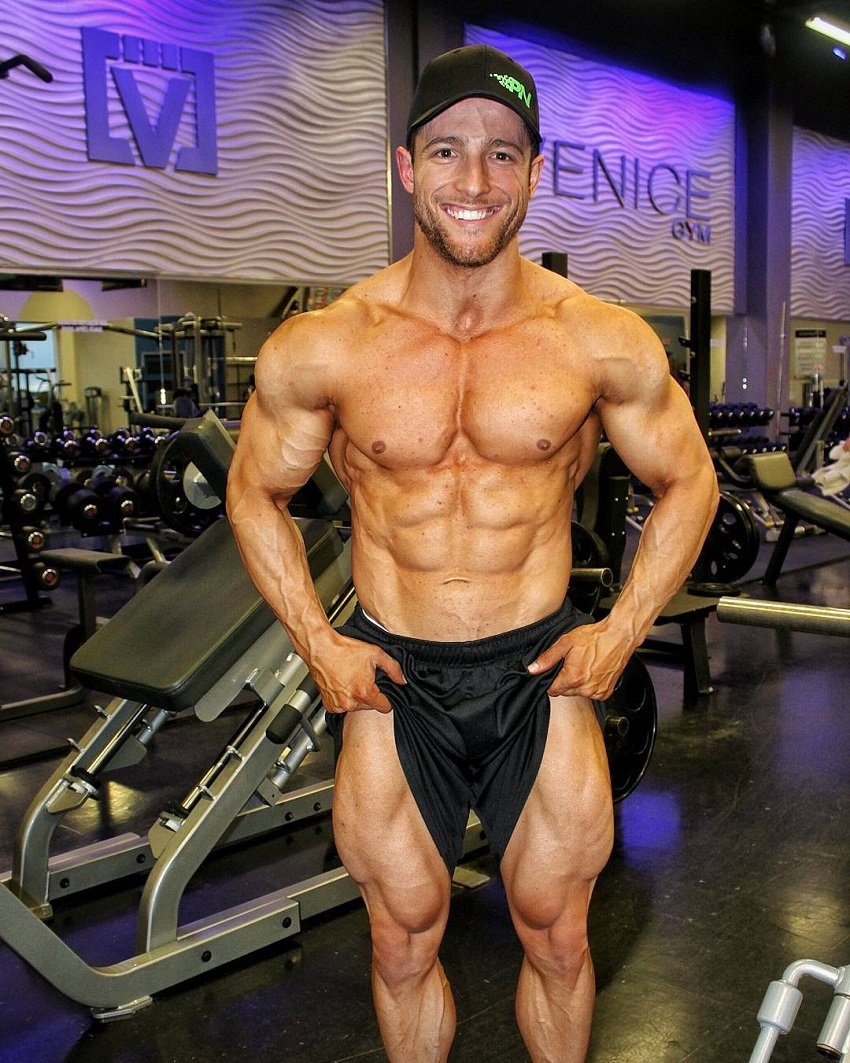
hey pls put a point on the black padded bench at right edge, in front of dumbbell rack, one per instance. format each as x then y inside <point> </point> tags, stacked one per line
<point>775,477</point>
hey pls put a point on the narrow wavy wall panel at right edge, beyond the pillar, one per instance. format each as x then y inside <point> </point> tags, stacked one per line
<point>820,278</point>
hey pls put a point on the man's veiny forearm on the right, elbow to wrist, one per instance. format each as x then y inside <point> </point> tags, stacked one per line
<point>670,546</point>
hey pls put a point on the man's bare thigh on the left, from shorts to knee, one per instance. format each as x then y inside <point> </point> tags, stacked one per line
<point>378,828</point>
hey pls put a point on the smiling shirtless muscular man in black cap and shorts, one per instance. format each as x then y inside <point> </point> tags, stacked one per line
<point>461,394</point>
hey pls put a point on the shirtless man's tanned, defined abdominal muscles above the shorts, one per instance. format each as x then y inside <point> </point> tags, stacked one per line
<point>456,555</point>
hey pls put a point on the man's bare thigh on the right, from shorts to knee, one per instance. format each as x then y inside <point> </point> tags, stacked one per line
<point>565,835</point>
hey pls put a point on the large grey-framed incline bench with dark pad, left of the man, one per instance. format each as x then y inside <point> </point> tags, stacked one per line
<point>194,638</point>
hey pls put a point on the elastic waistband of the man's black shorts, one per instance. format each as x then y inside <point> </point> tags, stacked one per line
<point>478,651</point>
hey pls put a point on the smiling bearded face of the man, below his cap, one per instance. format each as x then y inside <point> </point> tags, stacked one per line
<point>472,180</point>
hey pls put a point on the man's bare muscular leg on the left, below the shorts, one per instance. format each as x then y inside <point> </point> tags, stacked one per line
<point>388,851</point>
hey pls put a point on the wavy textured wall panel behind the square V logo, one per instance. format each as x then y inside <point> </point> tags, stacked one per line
<point>301,124</point>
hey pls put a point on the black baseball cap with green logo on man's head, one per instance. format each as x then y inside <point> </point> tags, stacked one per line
<point>474,71</point>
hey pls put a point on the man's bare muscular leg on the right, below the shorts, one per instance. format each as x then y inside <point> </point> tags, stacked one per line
<point>562,842</point>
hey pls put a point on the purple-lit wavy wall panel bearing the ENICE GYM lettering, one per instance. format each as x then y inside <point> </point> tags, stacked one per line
<point>650,137</point>
